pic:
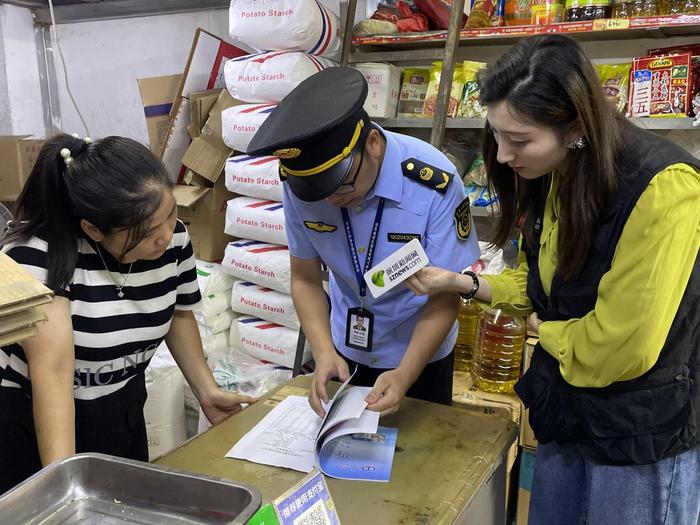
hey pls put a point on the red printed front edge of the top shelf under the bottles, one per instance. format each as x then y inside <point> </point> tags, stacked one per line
<point>428,46</point>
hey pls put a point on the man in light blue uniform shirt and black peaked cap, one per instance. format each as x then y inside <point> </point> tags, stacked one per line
<point>353,194</point>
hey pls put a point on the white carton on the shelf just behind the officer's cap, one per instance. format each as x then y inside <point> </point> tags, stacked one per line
<point>384,82</point>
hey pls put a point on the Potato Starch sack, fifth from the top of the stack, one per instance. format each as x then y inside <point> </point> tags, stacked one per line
<point>256,219</point>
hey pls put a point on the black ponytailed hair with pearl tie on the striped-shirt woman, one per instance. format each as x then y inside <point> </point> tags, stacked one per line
<point>114,183</point>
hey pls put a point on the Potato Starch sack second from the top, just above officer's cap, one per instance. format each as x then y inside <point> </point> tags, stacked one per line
<point>269,77</point>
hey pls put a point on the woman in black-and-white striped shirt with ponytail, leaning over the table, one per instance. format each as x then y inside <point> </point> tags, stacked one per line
<point>97,224</point>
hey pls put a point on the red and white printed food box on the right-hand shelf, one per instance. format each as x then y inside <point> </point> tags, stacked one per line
<point>660,86</point>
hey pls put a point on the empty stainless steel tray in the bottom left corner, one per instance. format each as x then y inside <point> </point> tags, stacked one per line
<point>106,490</point>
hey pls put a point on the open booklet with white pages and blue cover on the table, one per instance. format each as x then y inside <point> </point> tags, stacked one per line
<point>347,443</point>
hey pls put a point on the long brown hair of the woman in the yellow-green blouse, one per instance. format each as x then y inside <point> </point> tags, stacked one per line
<point>547,80</point>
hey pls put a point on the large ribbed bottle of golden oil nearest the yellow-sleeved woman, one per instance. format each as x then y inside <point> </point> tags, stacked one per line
<point>498,351</point>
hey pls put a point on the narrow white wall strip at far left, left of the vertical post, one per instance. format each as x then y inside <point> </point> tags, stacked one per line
<point>21,111</point>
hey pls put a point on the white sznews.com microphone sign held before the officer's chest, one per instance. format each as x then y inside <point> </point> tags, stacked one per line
<point>396,268</point>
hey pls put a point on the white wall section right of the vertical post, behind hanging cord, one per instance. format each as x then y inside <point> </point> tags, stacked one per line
<point>105,58</point>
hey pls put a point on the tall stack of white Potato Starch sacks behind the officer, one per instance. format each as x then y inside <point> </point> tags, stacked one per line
<point>294,37</point>
